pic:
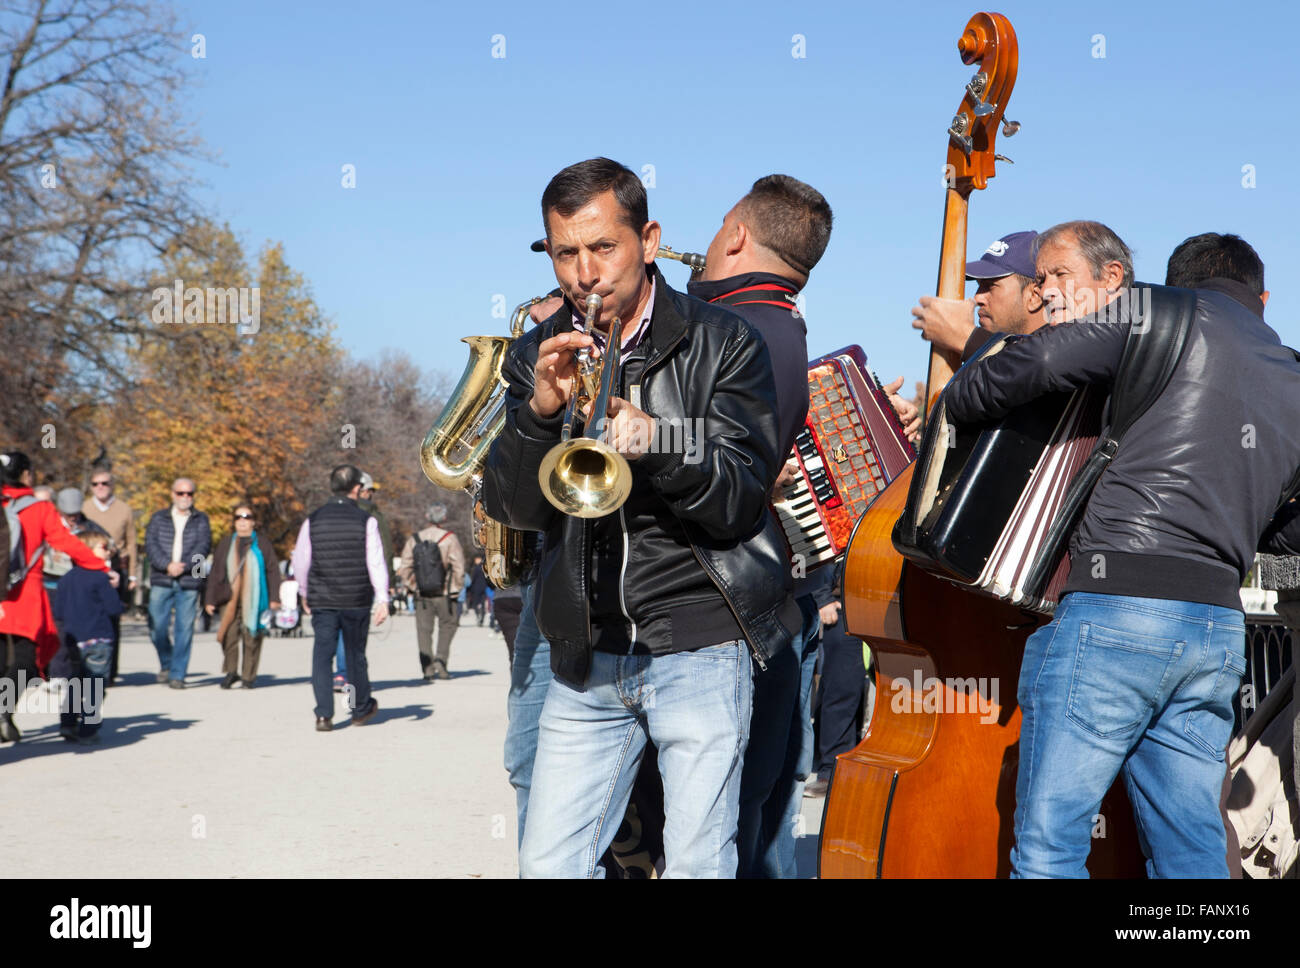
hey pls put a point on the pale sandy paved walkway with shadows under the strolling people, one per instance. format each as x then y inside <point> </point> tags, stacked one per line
<point>207,783</point>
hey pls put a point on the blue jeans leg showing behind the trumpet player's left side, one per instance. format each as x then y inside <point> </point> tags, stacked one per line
<point>530,679</point>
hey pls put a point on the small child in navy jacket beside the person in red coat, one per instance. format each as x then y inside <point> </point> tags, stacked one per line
<point>85,605</point>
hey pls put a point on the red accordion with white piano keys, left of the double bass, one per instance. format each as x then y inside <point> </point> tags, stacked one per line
<point>852,446</point>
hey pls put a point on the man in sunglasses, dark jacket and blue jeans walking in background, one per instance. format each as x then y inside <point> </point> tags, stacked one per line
<point>176,541</point>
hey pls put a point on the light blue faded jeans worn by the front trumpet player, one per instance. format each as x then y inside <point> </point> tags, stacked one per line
<point>695,707</point>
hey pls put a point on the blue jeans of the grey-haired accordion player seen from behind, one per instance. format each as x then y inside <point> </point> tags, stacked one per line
<point>1136,687</point>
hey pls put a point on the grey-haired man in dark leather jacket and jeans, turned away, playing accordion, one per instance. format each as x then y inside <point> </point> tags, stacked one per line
<point>1138,670</point>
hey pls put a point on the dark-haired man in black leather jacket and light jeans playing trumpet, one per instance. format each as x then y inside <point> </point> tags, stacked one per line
<point>653,610</point>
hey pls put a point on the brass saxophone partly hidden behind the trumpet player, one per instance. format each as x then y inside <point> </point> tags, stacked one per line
<point>456,449</point>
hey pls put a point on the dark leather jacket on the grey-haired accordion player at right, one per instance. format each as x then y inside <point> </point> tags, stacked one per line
<point>1198,479</point>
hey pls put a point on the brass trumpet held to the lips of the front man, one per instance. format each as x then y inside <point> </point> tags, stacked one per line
<point>584,476</point>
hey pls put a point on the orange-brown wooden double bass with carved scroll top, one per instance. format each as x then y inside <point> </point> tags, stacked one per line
<point>930,792</point>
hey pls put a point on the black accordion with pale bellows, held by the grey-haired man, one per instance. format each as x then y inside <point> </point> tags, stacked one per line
<point>989,503</point>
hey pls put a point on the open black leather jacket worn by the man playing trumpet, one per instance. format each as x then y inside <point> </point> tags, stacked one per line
<point>703,363</point>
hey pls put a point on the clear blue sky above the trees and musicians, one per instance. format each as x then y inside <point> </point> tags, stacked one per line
<point>453,147</point>
